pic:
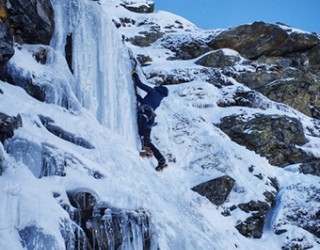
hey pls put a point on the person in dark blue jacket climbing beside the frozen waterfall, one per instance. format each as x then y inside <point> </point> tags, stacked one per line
<point>146,118</point>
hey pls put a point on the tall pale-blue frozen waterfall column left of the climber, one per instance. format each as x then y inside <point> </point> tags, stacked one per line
<point>100,63</point>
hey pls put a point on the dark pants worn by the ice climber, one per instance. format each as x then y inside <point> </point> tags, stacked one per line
<point>144,129</point>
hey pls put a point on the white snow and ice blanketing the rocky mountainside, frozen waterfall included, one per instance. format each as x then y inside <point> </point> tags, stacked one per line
<point>101,112</point>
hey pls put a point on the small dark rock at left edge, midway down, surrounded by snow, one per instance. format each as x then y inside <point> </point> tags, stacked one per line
<point>7,126</point>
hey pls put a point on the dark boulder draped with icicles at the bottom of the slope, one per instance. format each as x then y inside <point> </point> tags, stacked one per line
<point>106,227</point>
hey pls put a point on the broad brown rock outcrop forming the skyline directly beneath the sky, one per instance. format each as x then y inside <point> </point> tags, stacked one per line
<point>259,38</point>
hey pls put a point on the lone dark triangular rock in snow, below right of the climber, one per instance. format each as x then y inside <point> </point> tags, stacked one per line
<point>216,190</point>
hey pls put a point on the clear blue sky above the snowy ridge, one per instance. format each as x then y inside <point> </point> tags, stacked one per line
<point>214,14</point>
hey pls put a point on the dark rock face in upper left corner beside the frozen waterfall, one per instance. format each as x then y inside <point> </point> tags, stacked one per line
<point>30,22</point>
